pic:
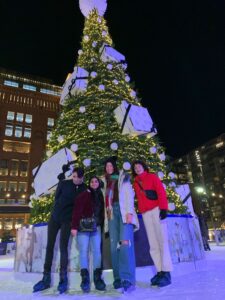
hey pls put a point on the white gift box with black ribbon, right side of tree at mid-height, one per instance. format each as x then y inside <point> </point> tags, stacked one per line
<point>134,120</point>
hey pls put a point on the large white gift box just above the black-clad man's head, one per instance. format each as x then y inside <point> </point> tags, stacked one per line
<point>46,174</point>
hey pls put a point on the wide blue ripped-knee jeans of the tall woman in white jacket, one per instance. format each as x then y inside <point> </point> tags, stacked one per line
<point>123,255</point>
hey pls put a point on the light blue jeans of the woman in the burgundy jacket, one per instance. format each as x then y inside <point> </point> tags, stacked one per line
<point>92,239</point>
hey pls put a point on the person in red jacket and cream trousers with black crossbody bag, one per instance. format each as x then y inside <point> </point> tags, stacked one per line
<point>153,205</point>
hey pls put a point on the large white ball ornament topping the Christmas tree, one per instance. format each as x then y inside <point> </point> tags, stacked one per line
<point>86,6</point>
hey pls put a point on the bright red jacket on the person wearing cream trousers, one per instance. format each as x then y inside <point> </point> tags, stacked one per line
<point>149,181</point>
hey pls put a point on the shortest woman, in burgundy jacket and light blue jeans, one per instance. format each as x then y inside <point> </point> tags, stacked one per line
<point>89,204</point>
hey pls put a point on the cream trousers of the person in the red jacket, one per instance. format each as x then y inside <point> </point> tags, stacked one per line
<point>158,240</point>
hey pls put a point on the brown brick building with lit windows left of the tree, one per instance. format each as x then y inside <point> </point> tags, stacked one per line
<point>29,107</point>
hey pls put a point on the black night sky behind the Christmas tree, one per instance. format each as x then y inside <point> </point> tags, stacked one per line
<point>175,52</point>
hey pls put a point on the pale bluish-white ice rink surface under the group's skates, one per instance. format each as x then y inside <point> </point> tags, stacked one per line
<point>203,280</point>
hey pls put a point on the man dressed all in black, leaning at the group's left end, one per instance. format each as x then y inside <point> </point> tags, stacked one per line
<point>67,191</point>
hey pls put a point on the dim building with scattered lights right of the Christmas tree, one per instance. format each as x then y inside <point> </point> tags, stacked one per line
<point>204,170</point>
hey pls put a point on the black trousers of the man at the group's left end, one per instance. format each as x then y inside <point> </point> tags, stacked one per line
<point>53,228</point>
